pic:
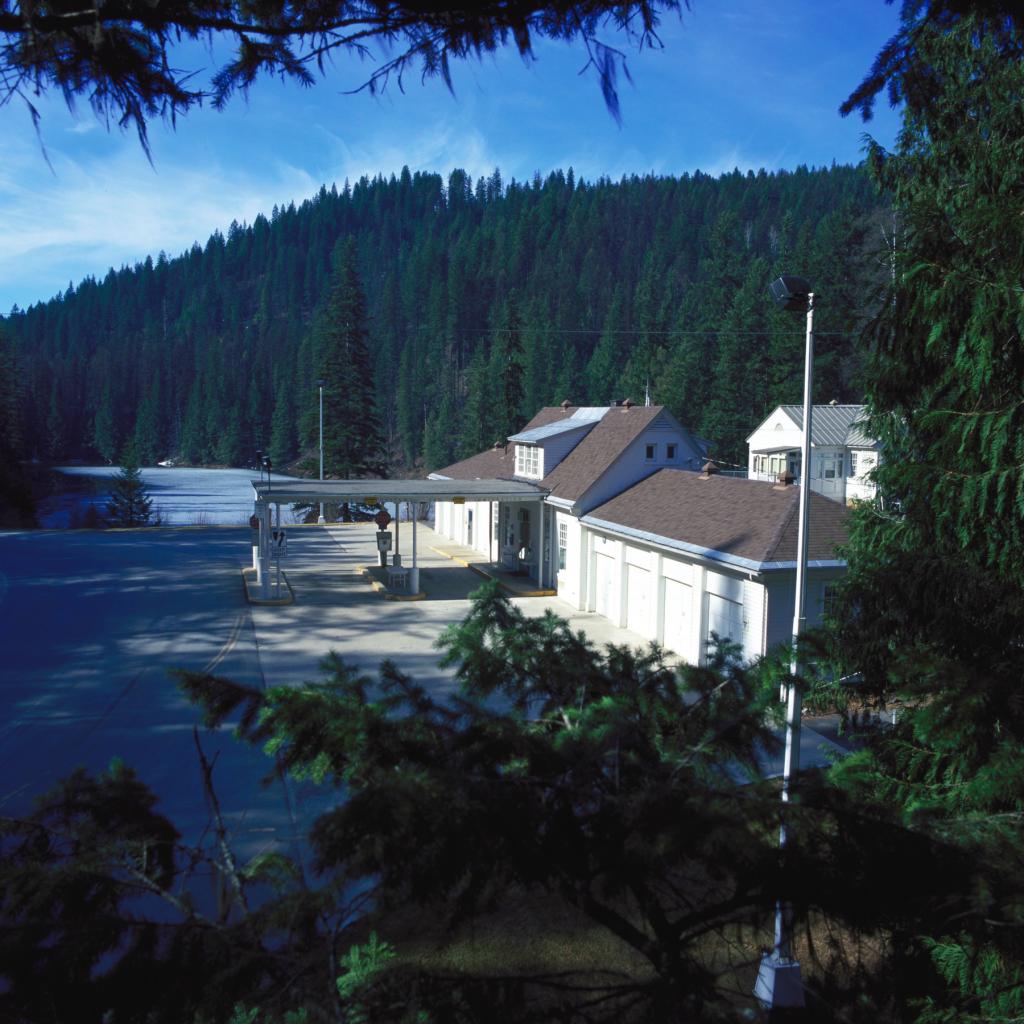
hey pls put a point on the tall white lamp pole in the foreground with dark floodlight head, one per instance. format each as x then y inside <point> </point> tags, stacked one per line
<point>780,986</point>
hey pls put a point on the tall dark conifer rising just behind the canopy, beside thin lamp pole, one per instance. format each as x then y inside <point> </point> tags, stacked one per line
<point>353,443</point>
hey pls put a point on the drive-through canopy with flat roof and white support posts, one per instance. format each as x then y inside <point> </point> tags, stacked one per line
<point>376,492</point>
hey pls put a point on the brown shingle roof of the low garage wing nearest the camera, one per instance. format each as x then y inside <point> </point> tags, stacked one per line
<point>746,519</point>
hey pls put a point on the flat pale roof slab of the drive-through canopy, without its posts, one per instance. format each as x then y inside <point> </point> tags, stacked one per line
<point>364,492</point>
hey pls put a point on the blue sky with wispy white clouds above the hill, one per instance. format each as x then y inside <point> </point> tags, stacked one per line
<point>740,83</point>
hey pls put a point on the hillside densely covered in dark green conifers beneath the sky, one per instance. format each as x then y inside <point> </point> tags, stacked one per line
<point>590,291</point>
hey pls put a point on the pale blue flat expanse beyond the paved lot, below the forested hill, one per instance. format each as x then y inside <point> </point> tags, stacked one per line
<point>182,497</point>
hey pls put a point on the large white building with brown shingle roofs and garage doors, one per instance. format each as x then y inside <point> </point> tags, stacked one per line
<point>626,525</point>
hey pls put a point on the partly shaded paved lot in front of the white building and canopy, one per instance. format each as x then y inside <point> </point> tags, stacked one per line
<point>93,622</point>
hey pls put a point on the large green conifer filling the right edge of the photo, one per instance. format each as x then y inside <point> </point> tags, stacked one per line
<point>935,593</point>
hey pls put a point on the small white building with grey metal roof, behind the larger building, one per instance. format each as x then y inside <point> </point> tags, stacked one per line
<point>842,454</point>
